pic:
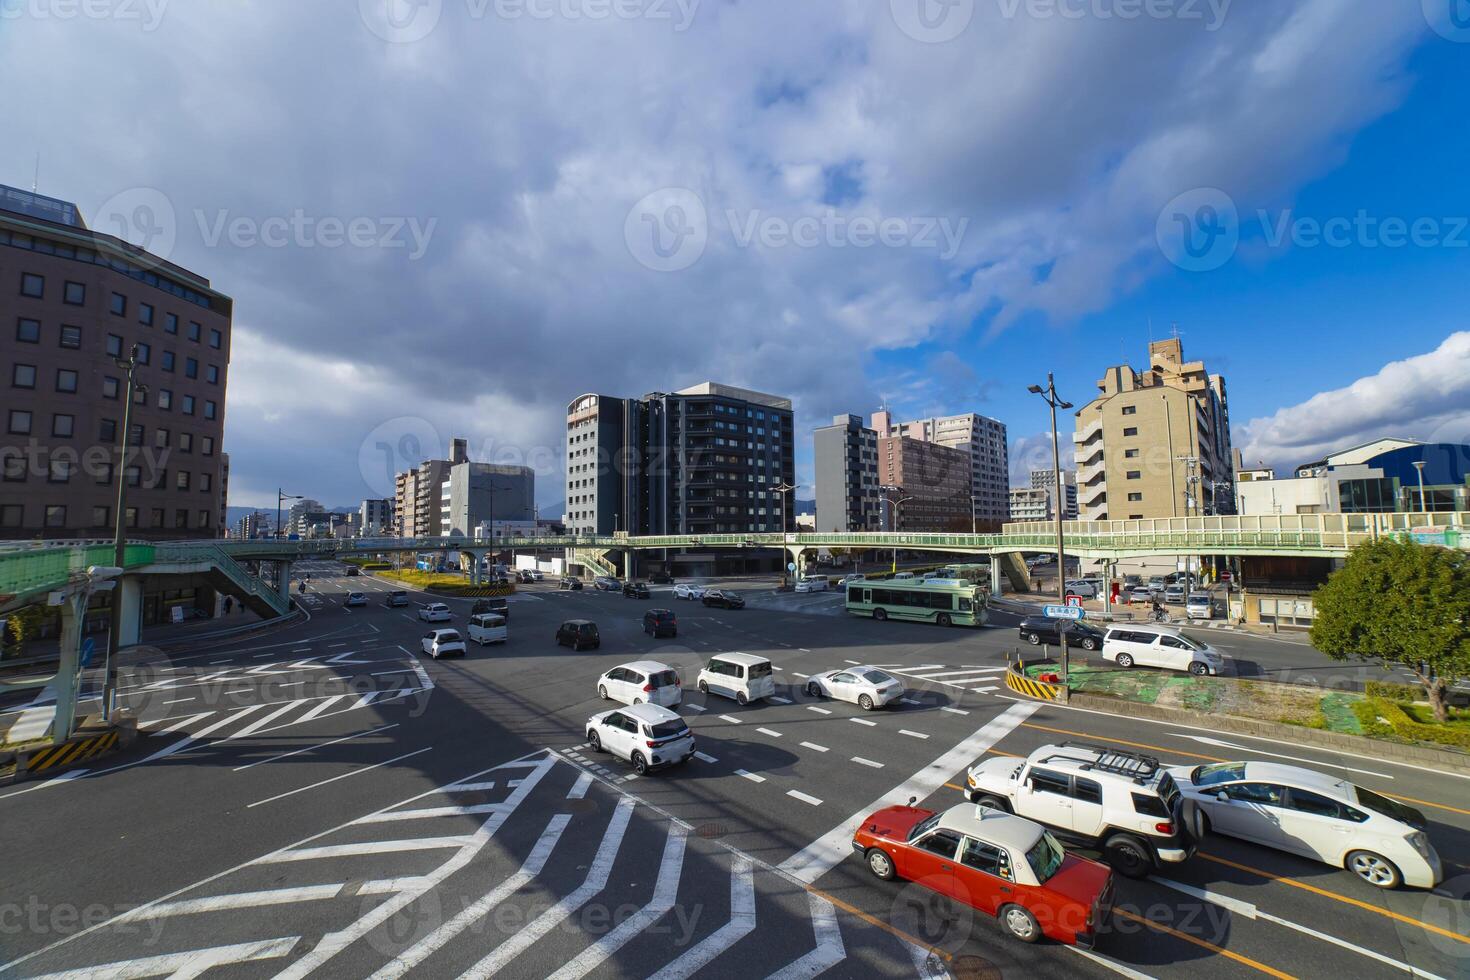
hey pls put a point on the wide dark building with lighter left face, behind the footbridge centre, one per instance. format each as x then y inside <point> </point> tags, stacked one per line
<point>700,461</point>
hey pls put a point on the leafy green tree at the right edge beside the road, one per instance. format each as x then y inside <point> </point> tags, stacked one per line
<point>1400,605</point>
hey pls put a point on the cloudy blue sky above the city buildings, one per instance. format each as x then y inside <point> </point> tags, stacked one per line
<point>693,190</point>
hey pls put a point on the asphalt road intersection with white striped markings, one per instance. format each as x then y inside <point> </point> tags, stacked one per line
<point>323,801</point>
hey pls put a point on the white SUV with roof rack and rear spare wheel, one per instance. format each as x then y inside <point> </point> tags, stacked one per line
<point>1125,804</point>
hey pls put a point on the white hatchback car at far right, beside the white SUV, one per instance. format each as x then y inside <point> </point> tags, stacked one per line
<point>1316,816</point>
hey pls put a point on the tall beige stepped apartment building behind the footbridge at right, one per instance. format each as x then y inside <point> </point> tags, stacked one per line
<point>1155,443</point>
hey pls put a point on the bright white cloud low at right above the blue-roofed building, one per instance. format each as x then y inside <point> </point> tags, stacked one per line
<point>1424,397</point>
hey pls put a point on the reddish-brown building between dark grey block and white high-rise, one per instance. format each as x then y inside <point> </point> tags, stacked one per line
<point>936,483</point>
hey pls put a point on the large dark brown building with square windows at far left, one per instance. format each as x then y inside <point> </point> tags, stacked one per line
<point>73,302</point>
